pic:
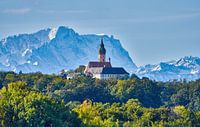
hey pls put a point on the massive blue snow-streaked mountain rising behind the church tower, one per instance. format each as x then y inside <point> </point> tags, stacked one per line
<point>52,50</point>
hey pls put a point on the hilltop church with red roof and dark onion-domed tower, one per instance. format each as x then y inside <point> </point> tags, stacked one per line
<point>103,69</point>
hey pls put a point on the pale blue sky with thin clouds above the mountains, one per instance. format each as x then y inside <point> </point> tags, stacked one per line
<point>150,30</point>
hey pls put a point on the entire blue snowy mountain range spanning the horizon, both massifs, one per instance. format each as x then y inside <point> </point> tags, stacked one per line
<point>51,50</point>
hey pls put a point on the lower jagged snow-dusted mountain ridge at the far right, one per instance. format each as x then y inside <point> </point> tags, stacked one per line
<point>186,68</point>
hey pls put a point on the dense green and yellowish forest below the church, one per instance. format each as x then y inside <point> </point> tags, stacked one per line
<point>38,99</point>
